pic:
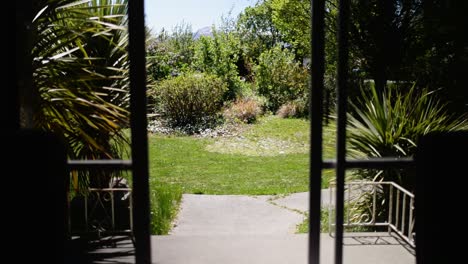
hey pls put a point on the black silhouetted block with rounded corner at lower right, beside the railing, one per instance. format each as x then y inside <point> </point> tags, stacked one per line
<point>441,198</point>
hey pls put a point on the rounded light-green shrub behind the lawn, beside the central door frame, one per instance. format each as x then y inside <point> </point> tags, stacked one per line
<point>279,78</point>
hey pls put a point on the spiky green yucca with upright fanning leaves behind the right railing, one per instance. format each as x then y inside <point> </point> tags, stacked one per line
<point>390,125</point>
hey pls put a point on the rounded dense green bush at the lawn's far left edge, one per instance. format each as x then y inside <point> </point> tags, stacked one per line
<point>191,101</point>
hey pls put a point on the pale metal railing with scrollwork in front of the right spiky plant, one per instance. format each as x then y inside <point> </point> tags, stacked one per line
<point>362,210</point>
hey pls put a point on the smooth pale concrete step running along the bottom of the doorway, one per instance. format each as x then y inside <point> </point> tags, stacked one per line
<point>362,248</point>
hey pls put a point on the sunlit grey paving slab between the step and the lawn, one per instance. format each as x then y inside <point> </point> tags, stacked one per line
<point>233,215</point>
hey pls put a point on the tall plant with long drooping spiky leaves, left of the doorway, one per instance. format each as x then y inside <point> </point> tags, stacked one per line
<point>80,71</point>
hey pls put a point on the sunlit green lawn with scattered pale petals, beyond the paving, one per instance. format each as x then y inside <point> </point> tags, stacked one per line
<point>270,157</point>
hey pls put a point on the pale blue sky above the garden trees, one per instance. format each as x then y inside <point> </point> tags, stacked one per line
<point>198,13</point>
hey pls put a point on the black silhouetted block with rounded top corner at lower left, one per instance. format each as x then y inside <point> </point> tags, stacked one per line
<point>34,163</point>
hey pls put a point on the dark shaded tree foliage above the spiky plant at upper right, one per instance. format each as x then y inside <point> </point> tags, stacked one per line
<point>413,41</point>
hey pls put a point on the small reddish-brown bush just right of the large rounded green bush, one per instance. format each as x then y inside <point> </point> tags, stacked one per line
<point>245,110</point>
